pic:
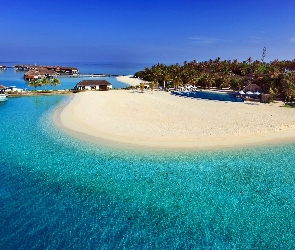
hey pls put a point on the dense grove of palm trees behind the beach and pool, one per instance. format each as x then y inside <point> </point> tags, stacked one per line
<point>276,78</point>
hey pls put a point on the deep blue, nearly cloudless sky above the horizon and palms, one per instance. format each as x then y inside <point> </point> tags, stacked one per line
<point>150,31</point>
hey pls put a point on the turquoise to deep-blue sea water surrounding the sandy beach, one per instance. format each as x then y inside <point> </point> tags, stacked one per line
<point>58,192</point>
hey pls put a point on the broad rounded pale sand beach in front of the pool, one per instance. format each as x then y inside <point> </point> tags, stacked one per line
<point>167,121</point>
